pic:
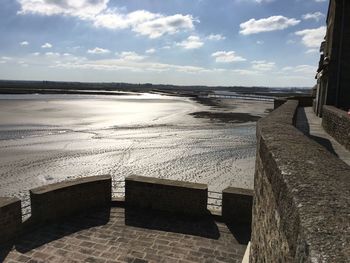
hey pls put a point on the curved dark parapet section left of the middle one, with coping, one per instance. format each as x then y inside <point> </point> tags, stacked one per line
<point>55,201</point>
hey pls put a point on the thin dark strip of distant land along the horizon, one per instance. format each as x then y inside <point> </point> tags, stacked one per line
<point>115,88</point>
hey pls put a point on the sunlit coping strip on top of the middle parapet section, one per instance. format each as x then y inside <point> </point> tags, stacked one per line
<point>167,182</point>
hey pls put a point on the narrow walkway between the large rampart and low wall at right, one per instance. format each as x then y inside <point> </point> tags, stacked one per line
<point>311,125</point>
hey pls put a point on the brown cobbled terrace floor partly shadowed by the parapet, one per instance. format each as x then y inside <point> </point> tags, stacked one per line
<point>118,235</point>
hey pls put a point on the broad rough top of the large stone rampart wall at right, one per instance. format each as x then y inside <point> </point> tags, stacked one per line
<point>311,187</point>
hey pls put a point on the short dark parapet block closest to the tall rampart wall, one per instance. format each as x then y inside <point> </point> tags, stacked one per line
<point>237,205</point>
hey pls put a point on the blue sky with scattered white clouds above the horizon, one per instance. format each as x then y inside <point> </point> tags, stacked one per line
<point>271,43</point>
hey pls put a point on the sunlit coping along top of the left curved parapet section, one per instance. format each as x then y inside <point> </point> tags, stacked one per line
<point>65,184</point>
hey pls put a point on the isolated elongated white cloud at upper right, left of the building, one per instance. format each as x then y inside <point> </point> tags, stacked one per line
<point>271,23</point>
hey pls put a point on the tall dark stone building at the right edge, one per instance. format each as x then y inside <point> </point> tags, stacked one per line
<point>333,76</point>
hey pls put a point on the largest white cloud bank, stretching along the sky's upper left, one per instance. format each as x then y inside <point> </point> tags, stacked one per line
<point>152,25</point>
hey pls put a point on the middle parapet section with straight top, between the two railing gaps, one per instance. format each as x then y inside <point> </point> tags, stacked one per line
<point>166,195</point>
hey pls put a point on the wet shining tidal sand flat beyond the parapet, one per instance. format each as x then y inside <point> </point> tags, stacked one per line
<point>51,138</point>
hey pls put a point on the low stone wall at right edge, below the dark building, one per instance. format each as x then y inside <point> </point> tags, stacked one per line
<point>337,123</point>
